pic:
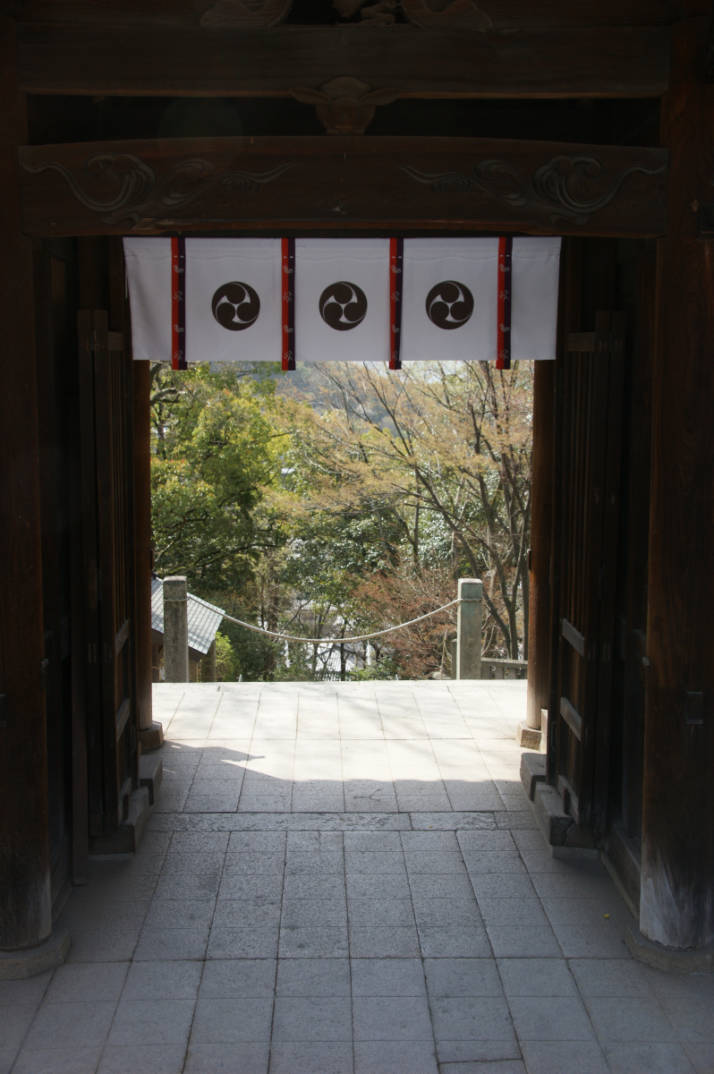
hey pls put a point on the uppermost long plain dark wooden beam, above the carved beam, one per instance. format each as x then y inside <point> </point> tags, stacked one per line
<point>586,63</point>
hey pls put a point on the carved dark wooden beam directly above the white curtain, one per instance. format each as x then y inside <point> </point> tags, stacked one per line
<point>376,184</point>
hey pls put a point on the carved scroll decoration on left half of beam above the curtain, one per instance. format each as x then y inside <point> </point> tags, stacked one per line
<point>126,192</point>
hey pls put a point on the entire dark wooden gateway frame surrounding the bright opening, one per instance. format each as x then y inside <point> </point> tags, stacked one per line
<point>205,118</point>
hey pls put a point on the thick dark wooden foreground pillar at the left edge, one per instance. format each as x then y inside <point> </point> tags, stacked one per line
<point>25,875</point>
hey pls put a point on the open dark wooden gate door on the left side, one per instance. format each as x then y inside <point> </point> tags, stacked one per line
<point>107,532</point>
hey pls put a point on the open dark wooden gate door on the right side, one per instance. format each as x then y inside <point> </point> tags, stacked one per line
<point>589,437</point>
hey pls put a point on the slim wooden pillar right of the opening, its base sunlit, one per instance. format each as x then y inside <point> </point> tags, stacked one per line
<point>542,531</point>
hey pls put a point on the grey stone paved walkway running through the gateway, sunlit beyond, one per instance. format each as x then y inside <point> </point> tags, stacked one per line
<point>347,880</point>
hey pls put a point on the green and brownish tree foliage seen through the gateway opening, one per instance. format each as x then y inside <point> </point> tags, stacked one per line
<point>346,509</point>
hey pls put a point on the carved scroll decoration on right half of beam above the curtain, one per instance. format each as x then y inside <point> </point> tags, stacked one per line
<point>567,188</point>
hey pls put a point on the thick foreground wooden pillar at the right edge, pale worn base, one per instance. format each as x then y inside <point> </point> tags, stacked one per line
<point>677,902</point>
